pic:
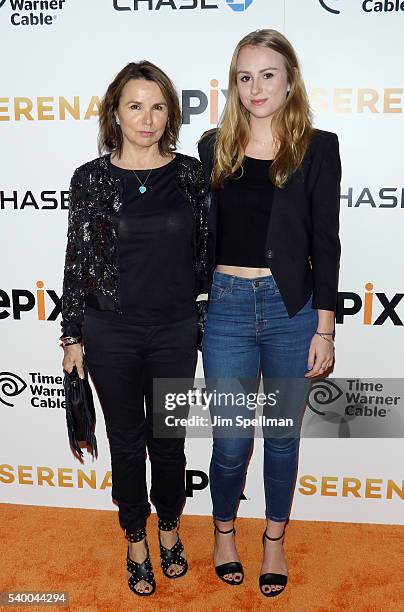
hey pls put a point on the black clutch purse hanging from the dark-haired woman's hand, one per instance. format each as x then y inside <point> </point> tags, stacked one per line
<point>80,412</point>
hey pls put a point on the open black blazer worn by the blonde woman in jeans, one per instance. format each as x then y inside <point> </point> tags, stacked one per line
<point>302,244</point>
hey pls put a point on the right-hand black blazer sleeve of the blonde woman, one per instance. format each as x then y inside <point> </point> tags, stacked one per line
<point>325,207</point>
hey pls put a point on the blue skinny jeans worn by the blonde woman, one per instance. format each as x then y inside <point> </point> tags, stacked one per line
<point>249,333</point>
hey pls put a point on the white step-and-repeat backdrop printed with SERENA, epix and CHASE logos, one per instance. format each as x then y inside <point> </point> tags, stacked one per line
<point>57,58</point>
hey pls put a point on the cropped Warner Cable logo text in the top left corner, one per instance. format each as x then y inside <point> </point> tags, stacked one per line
<point>34,12</point>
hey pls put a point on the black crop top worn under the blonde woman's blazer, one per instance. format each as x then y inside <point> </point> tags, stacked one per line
<point>244,209</point>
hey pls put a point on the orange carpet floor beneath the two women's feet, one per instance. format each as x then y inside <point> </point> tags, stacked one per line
<point>332,566</point>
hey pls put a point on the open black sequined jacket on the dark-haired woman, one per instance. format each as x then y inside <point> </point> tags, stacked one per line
<point>91,273</point>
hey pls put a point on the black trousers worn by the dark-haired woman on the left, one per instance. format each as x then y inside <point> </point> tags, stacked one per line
<point>122,360</point>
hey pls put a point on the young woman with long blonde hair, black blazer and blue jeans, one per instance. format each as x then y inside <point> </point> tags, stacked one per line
<point>273,265</point>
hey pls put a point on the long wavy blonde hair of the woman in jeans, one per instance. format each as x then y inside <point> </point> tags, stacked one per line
<point>291,123</point>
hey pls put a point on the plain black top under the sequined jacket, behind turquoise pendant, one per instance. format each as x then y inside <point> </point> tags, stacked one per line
<point>157,278</point>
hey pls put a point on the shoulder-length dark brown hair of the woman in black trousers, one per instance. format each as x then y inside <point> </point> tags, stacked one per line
<point>110,134</point>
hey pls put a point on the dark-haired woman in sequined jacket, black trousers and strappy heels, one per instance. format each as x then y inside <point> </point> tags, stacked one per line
<point>134,267</point>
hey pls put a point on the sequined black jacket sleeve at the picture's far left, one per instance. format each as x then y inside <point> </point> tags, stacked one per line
<point>73,281</point>
